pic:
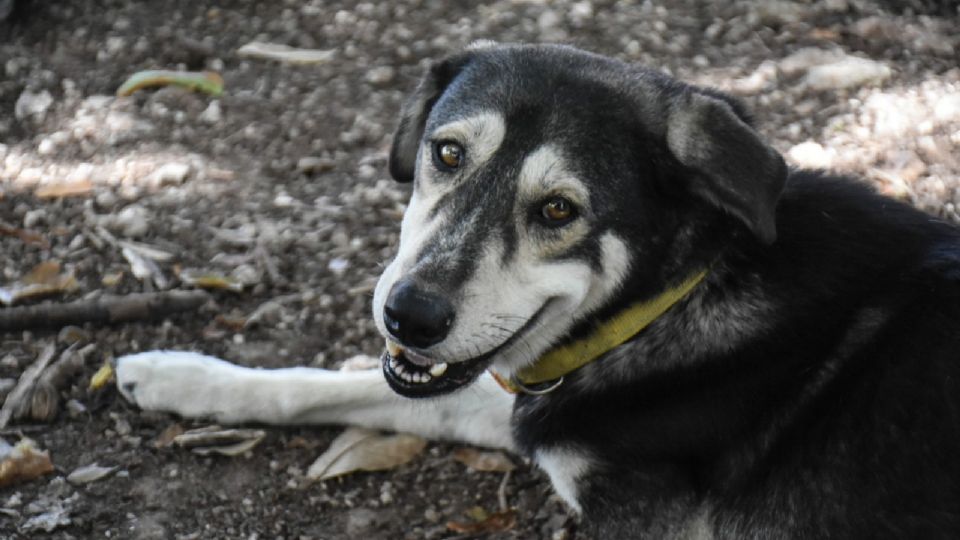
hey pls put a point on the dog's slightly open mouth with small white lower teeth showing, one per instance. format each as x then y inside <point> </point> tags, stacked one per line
<point>415,375</point>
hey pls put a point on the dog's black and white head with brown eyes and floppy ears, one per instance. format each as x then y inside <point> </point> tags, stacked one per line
<point>551,187</point>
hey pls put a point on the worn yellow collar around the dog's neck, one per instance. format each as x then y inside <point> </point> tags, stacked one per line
<point>556,363</point>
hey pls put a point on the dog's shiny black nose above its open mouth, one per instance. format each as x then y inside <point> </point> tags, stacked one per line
<point>416,317</point>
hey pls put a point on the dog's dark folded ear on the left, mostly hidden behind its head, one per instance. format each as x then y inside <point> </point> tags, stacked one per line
<point>413,115</point>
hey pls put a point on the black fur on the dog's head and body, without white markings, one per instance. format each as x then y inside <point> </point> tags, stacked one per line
<point>808,388</point>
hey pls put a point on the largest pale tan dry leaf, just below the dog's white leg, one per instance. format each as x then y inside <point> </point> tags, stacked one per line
<point>358,449</point>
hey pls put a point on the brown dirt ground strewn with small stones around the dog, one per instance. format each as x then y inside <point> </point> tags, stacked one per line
<point>281,183</point>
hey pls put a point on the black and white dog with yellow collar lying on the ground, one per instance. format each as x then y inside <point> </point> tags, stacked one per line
<point>692,339</point>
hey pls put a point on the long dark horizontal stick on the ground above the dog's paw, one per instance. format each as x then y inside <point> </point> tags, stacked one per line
<point>107,309</point>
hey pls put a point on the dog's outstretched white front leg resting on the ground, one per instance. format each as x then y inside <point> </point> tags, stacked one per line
<point>194,385</point>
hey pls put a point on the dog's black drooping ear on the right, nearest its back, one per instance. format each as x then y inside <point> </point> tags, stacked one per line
<point>733,168</point>
